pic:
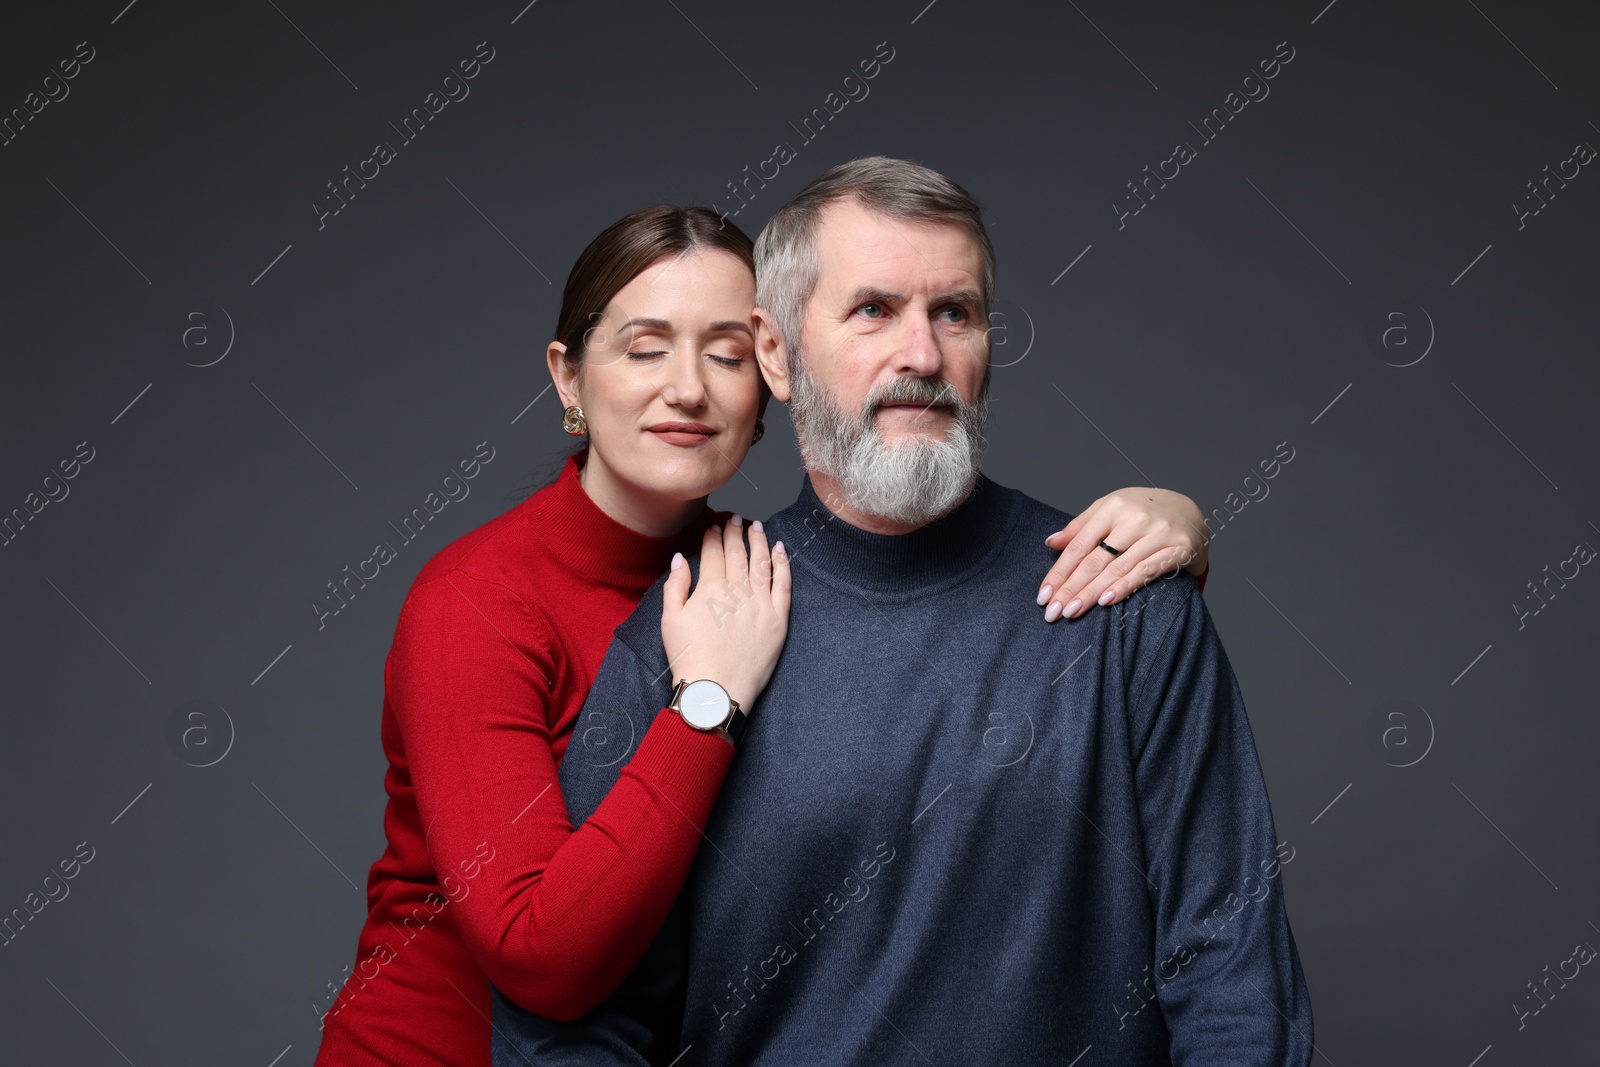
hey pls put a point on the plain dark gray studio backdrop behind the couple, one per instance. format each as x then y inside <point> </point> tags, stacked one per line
<point>1246,306</point>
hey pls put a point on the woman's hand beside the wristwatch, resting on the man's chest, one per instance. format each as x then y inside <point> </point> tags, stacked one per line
<point>734,626</point>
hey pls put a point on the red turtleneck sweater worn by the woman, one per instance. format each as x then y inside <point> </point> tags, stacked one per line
<point>484,879</point>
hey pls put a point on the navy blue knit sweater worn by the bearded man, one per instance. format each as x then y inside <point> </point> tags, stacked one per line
<point>956,834</point>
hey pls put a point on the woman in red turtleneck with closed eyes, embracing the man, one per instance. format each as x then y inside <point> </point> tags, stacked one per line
<point>502,636</point>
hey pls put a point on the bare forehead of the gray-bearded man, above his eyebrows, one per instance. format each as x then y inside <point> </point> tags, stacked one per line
<point>858,246</point>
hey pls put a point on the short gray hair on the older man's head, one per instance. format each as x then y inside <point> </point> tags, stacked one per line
<point>786,260</point>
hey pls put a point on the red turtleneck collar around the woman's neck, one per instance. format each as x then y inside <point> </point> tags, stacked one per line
<point>588,541</point>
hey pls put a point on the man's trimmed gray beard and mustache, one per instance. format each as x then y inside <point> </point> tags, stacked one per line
<point>914,482</point>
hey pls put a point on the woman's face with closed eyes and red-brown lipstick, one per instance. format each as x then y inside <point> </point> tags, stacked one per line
<point>670,383</point>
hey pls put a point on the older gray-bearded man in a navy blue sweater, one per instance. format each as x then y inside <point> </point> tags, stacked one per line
<point>954,834</point>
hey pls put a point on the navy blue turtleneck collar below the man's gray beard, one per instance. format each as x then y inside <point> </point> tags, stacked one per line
<point>900,565</point>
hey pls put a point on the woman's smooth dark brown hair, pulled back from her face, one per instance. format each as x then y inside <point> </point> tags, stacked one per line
<point>625,250</point>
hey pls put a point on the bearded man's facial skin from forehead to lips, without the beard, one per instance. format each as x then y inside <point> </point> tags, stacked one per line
<point>897,300</point>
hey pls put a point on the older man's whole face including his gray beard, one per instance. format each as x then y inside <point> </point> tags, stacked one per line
<point>889,385</point>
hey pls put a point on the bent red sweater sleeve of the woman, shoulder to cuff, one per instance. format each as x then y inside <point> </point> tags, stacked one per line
<point>559,917</point>
